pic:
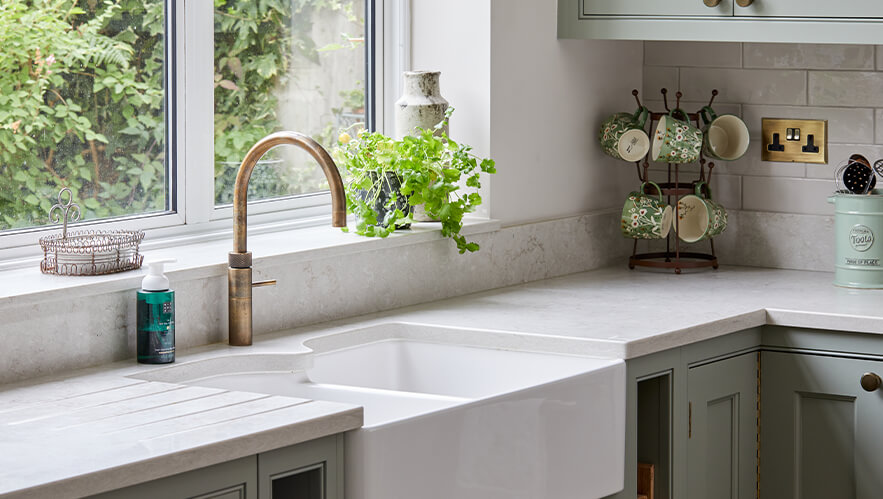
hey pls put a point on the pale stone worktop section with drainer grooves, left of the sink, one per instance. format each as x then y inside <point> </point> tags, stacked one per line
<point>99,430</point>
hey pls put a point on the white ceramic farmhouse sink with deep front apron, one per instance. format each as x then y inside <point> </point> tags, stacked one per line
<point>446,420</point>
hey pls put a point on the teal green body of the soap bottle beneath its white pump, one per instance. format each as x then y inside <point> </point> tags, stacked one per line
<point>156,327</point>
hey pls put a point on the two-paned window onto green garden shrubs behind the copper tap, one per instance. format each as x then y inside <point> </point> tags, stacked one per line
<point>112,99</point>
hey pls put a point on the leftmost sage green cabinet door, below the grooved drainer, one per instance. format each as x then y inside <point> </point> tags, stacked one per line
<point>232,480</point>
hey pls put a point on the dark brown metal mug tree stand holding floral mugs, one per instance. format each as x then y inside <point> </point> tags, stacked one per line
<point>673,257</point>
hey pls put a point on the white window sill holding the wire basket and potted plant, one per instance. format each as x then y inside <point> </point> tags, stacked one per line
<point>205,259</point>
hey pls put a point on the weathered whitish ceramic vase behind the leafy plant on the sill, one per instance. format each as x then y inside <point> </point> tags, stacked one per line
<point>421,104</point>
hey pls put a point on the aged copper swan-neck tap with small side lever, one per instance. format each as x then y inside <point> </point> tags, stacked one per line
<point>239,272</point>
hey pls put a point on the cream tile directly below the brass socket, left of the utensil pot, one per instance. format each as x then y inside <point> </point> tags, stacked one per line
<point>787,195</point>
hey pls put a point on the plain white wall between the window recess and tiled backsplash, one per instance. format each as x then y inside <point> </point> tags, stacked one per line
<point>548,97</point>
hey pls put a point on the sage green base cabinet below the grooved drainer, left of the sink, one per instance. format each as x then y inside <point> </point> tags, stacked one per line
<point>310,470</point>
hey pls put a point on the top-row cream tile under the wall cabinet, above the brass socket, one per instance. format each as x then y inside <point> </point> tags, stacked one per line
<point>808,56</point>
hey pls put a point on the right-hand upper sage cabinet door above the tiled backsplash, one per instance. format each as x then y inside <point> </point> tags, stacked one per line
<point>813,8</point>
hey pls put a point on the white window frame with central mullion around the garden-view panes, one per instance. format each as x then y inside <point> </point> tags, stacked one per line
<point>196,217</point>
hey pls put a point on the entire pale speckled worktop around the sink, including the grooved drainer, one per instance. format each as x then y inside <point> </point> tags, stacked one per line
<point>98,429</point>
